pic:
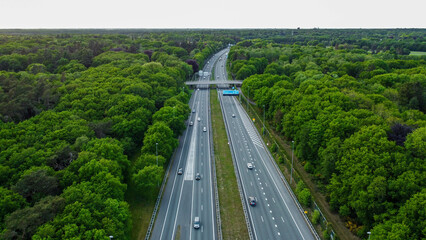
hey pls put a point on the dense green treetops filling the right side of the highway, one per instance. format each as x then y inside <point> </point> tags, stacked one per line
<point>358,122</point>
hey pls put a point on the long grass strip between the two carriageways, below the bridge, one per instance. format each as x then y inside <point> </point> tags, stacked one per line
<point>231,210</point>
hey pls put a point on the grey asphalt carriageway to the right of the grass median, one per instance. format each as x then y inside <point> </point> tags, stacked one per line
<point>276,215</point>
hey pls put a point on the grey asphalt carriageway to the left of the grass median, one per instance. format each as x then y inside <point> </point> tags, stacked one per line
<point>184,197</point>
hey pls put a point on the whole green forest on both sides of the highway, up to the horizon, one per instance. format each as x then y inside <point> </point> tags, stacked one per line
<point>77,105</point>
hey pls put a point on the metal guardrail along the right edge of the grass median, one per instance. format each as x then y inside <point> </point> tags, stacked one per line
<point>240,188</point>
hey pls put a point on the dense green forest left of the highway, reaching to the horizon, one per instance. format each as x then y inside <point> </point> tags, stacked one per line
<point>73,108</point>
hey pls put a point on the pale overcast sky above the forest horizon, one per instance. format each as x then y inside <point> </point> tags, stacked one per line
<point>212,14</point>
